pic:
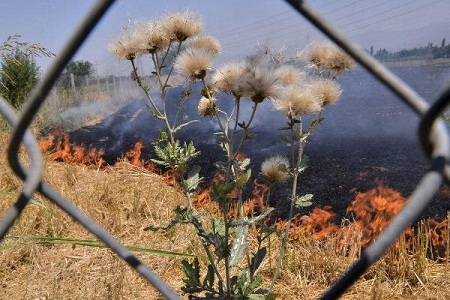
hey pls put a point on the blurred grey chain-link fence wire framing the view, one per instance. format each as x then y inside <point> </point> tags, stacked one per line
<point>432,134</point>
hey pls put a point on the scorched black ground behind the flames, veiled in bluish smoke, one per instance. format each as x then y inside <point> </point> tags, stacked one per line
<point>368,137</point>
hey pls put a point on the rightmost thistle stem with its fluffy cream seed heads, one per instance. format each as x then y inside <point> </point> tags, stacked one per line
<point>310,95</point>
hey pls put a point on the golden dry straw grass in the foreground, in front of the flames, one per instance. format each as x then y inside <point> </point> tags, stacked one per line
<point>125,201</point>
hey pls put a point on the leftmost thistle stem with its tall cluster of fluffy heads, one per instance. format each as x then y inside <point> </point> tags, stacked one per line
<point>163,41</point>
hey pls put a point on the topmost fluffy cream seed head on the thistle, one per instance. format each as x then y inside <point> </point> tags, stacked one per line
<point>182,25</point>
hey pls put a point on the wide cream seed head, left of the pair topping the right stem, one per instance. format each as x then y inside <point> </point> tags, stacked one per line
<point>297,101</point>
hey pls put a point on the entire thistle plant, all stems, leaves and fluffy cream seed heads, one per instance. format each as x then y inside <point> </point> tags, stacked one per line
<point>175,46</point>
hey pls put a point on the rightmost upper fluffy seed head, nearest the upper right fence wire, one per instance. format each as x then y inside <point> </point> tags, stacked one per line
<point>330,57</point>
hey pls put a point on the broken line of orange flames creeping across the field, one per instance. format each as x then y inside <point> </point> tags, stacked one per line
<point>371,211</point>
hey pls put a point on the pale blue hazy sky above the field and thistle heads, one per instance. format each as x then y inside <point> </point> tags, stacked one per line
<point>239,24</point>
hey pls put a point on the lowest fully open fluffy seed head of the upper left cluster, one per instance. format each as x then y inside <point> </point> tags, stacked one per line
<point>193,63</point>
